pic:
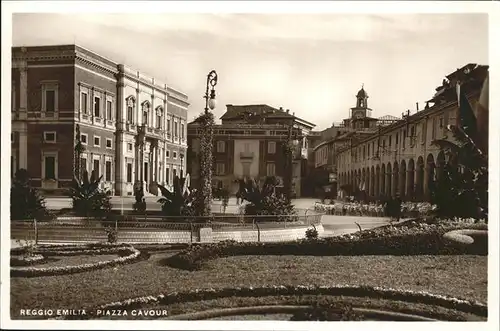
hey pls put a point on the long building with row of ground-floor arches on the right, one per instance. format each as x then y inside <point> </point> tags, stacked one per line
<point>400,158</point>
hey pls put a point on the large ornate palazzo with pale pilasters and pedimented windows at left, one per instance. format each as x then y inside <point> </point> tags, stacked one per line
<point>133,127</point>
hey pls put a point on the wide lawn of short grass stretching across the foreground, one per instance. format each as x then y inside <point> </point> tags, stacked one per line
<point>461,276</point>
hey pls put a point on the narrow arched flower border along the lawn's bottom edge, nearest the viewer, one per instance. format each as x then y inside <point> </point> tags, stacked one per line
<point>420,297</point>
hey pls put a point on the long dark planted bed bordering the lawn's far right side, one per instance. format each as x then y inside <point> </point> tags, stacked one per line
<point>407,238</point>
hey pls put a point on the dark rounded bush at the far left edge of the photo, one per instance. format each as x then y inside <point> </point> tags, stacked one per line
<point>25,201</point>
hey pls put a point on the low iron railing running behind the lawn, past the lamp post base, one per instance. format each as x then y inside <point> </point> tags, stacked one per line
<point>161,229</point>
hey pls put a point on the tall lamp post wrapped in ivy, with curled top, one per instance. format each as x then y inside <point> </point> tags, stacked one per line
<point>206,145</point>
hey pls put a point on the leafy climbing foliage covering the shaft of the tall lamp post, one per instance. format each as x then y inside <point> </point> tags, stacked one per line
<point>207,122</point>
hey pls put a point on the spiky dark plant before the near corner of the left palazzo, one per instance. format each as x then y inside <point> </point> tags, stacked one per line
<point>88,198</point>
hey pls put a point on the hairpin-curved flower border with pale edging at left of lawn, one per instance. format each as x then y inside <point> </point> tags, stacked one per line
<point>127,254</point>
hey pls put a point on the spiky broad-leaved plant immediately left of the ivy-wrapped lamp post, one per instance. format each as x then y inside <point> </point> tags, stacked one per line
<point>181,201</point>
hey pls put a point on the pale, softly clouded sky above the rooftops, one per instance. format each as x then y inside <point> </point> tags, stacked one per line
<point>312,64</point>
